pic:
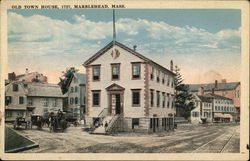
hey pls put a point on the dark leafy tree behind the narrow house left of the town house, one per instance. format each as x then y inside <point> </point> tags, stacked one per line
<point>64,80</point>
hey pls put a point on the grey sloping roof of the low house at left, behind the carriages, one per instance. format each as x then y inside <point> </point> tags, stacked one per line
<point>43,90</point>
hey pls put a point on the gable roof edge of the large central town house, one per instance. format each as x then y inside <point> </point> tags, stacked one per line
<point>110,45</point>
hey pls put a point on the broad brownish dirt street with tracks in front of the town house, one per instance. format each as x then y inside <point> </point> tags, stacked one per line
<point>217,138</point>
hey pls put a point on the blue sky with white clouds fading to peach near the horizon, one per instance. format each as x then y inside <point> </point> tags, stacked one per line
<point>205,44</point>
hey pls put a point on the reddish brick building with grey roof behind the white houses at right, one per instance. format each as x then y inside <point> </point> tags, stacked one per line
<point>226,89</point>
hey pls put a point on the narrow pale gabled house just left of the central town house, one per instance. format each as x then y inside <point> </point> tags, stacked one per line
<point>76,95</point>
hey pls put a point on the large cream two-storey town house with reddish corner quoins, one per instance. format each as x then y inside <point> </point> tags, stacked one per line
<point>128,91</point>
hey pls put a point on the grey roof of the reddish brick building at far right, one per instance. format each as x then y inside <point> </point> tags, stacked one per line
<point>210,86</point>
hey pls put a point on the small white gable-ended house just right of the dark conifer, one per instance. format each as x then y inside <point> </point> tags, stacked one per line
<point>203,109</point>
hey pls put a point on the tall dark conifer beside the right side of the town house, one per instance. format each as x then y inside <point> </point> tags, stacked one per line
<point>183,98</point>
